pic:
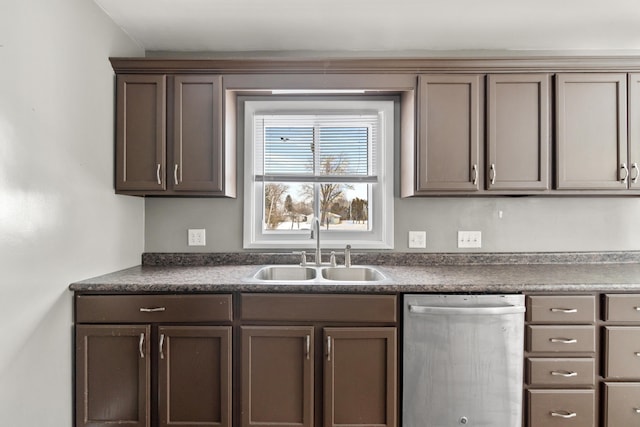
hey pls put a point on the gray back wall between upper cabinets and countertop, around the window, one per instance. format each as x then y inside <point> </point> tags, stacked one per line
<point>527,224</point>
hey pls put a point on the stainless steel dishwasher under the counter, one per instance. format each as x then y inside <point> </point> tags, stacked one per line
<point>463,360</point>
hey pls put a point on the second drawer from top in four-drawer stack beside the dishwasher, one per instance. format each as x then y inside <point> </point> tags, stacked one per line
<point>567,339</point>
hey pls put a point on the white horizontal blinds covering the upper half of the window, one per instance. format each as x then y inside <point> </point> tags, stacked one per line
<point>316,147</point>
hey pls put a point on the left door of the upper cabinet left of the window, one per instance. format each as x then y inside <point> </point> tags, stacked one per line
<point>140,133</point>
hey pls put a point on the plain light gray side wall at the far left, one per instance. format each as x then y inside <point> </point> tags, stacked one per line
<point>60,220</point>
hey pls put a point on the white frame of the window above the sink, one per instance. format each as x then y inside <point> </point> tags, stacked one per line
<point>380,235</point>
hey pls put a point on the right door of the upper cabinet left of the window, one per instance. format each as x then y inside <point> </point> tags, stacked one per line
<point>197,134</point>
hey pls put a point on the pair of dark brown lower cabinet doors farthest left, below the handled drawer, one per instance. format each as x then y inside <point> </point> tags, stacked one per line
<point>115,365</point>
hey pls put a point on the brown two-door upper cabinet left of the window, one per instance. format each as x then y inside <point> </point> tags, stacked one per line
<point>170,138</point>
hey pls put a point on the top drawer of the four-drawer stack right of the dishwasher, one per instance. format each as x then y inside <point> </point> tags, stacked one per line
<point>561,309</point>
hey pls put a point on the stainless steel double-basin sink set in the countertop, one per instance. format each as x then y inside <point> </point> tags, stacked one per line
<point>317,274</point>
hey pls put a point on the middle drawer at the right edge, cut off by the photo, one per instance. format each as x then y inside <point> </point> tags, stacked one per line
<point>622,354</point>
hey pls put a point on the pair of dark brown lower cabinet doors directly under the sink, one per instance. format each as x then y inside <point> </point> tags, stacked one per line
<point>359,368</point>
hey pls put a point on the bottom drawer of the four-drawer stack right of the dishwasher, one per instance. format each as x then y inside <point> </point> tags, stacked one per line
<point>560,408</point>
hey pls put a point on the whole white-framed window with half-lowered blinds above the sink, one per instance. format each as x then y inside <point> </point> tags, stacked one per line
<point>330,159</point>
